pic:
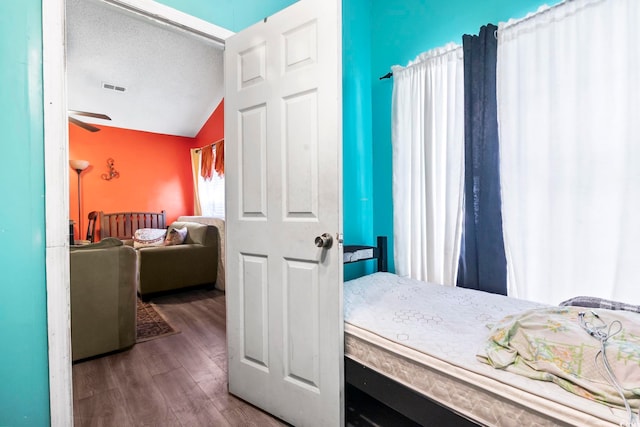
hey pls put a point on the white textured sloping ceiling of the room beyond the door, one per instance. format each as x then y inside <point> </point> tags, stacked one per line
<point>173,79</point>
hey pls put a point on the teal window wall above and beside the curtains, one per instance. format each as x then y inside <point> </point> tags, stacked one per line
<point>400,30</point>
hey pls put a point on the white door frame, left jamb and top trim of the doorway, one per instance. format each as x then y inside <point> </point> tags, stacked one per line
<point>56,150</point>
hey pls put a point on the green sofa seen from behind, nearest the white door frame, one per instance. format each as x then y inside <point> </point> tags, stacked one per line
<point>103,297</point>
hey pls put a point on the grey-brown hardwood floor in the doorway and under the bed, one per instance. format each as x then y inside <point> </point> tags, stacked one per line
<point>181,379</point>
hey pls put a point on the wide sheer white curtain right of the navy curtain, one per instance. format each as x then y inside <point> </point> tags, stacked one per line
<point>569,123</point>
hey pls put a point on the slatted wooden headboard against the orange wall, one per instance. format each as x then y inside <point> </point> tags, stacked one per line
<point>122,225</point>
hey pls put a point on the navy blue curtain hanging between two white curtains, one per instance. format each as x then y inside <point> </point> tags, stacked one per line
<point>482,263</point>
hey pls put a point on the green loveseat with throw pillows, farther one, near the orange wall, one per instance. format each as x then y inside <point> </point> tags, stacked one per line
<point>192,263</point>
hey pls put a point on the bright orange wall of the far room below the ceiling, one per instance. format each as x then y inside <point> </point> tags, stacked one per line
<point>155,170</point>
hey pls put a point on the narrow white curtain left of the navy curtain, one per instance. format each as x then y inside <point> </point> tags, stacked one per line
<point>428,165</point>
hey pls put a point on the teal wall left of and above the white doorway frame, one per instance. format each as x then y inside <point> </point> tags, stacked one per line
<point>24,386</point>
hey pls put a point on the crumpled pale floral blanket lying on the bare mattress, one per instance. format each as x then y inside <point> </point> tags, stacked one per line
<point>549,344</point>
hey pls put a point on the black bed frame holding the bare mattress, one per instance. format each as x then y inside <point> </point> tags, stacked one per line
<point>398,397</point>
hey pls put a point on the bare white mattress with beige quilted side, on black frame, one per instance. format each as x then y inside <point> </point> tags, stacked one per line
<point>426,336</point>
